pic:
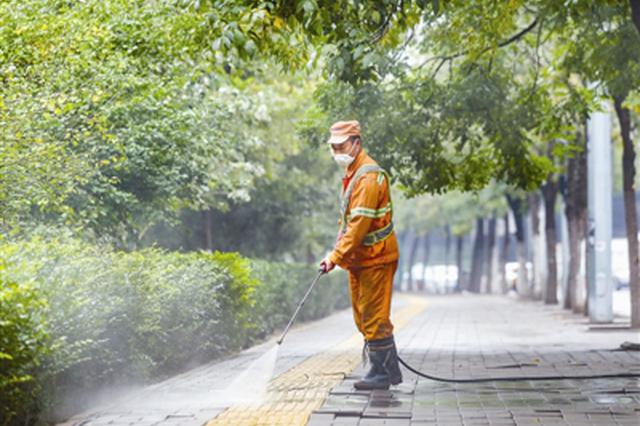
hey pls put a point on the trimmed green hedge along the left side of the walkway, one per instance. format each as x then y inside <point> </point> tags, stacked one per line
<point>76,317</point>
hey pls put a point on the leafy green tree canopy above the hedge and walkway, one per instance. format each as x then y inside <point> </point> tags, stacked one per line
<point>119,118</point>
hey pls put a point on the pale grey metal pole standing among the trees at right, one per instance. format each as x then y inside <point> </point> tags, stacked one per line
<point>600,209</point>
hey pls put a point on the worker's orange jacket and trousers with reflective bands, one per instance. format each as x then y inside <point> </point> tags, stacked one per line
<point>367,246</point>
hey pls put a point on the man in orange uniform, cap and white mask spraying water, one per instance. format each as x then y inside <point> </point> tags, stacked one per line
<point>367,247</point>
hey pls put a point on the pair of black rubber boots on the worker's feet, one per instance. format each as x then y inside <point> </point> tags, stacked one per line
<point>385,370</point>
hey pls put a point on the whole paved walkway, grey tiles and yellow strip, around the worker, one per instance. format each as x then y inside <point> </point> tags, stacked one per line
<point>452,336</point>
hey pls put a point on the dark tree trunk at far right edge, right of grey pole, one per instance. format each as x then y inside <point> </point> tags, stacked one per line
<point>630,214</point>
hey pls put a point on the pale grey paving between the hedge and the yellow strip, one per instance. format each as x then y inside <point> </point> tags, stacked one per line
<point>196,396</point>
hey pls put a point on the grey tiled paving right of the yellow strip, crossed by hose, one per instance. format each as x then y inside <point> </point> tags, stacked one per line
<point>467,336</point>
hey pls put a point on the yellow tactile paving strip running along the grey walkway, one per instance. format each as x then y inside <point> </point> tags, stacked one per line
<point>296,393</point>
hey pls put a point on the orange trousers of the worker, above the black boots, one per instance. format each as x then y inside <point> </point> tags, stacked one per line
<point>371,299</point>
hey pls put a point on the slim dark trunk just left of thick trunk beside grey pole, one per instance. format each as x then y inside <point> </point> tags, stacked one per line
<point>549,192</point>
